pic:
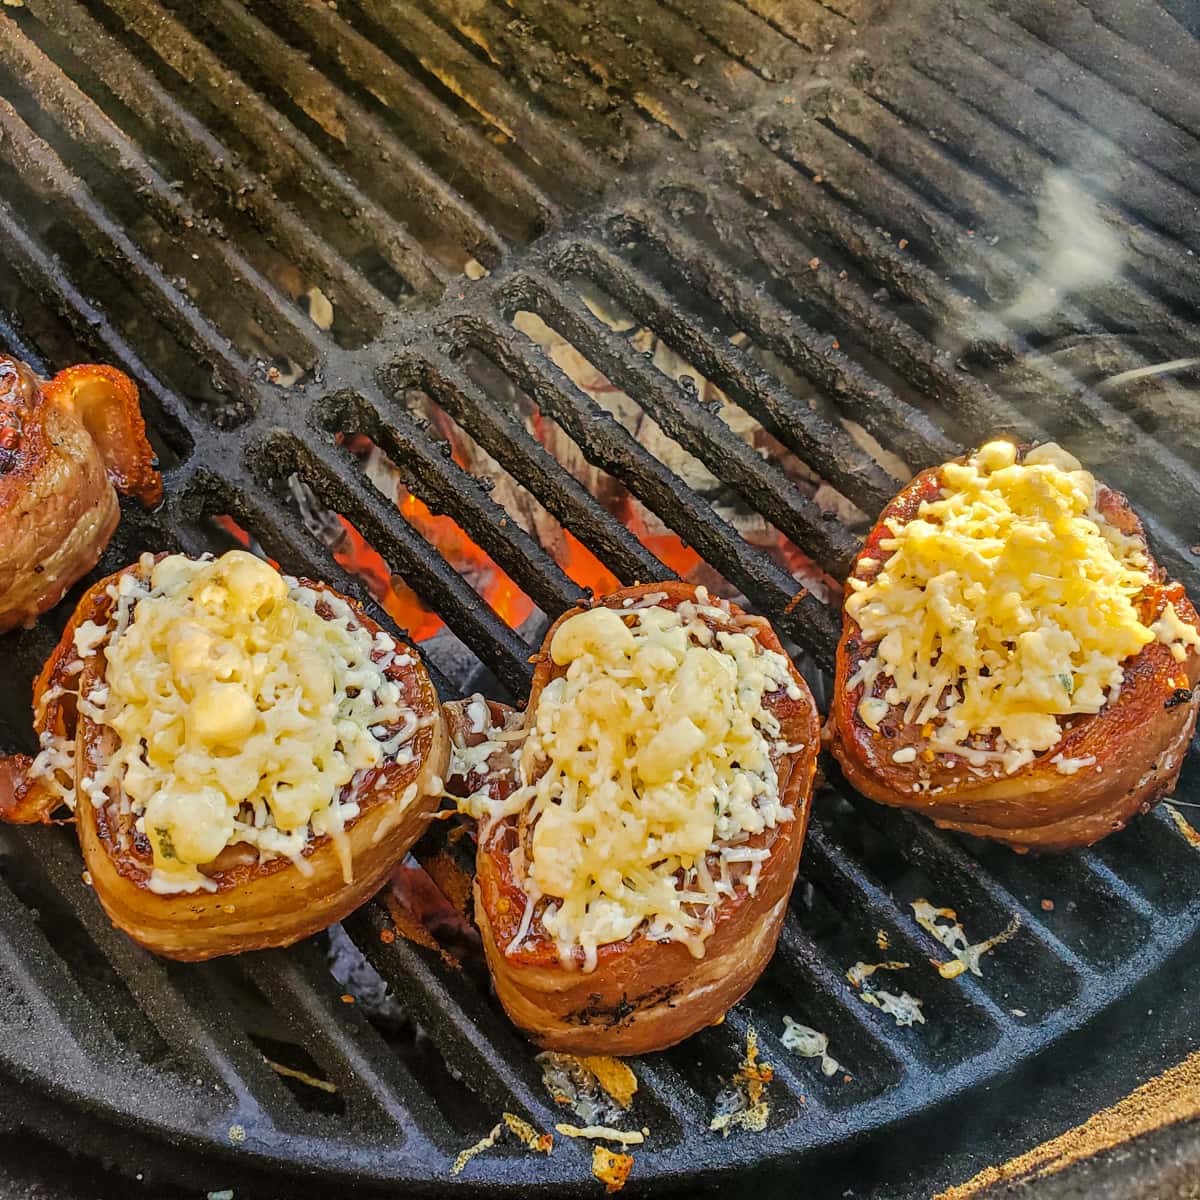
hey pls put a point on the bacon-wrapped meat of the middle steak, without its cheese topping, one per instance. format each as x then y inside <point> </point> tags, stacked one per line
<point>646,995</point>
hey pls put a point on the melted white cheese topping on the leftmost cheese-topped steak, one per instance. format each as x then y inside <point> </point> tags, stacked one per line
<point>241,713</point>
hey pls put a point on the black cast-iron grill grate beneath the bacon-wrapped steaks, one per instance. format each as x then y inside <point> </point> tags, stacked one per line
<point>296,220</point>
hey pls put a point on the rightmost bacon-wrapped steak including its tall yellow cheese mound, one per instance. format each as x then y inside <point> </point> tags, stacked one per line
<point>1029,611</point>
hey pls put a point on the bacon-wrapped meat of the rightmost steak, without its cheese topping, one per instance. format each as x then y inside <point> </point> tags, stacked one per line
<point>1138,742</point>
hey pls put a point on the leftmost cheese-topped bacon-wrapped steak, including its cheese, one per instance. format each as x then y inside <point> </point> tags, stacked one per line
<point>287,754</point>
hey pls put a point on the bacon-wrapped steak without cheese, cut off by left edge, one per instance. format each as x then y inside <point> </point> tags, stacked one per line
<point>65,445</point>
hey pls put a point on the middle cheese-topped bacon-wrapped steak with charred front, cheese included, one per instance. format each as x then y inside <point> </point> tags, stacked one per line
<point>634,861</point>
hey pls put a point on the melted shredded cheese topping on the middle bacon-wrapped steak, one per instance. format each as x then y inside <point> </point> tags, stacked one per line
<point>646,770</point>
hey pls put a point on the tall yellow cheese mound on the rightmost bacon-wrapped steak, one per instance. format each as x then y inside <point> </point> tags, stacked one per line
<point>1006,603</point>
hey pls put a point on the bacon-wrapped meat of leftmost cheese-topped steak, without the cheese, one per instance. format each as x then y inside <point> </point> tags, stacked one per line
<point>256,904</point>
